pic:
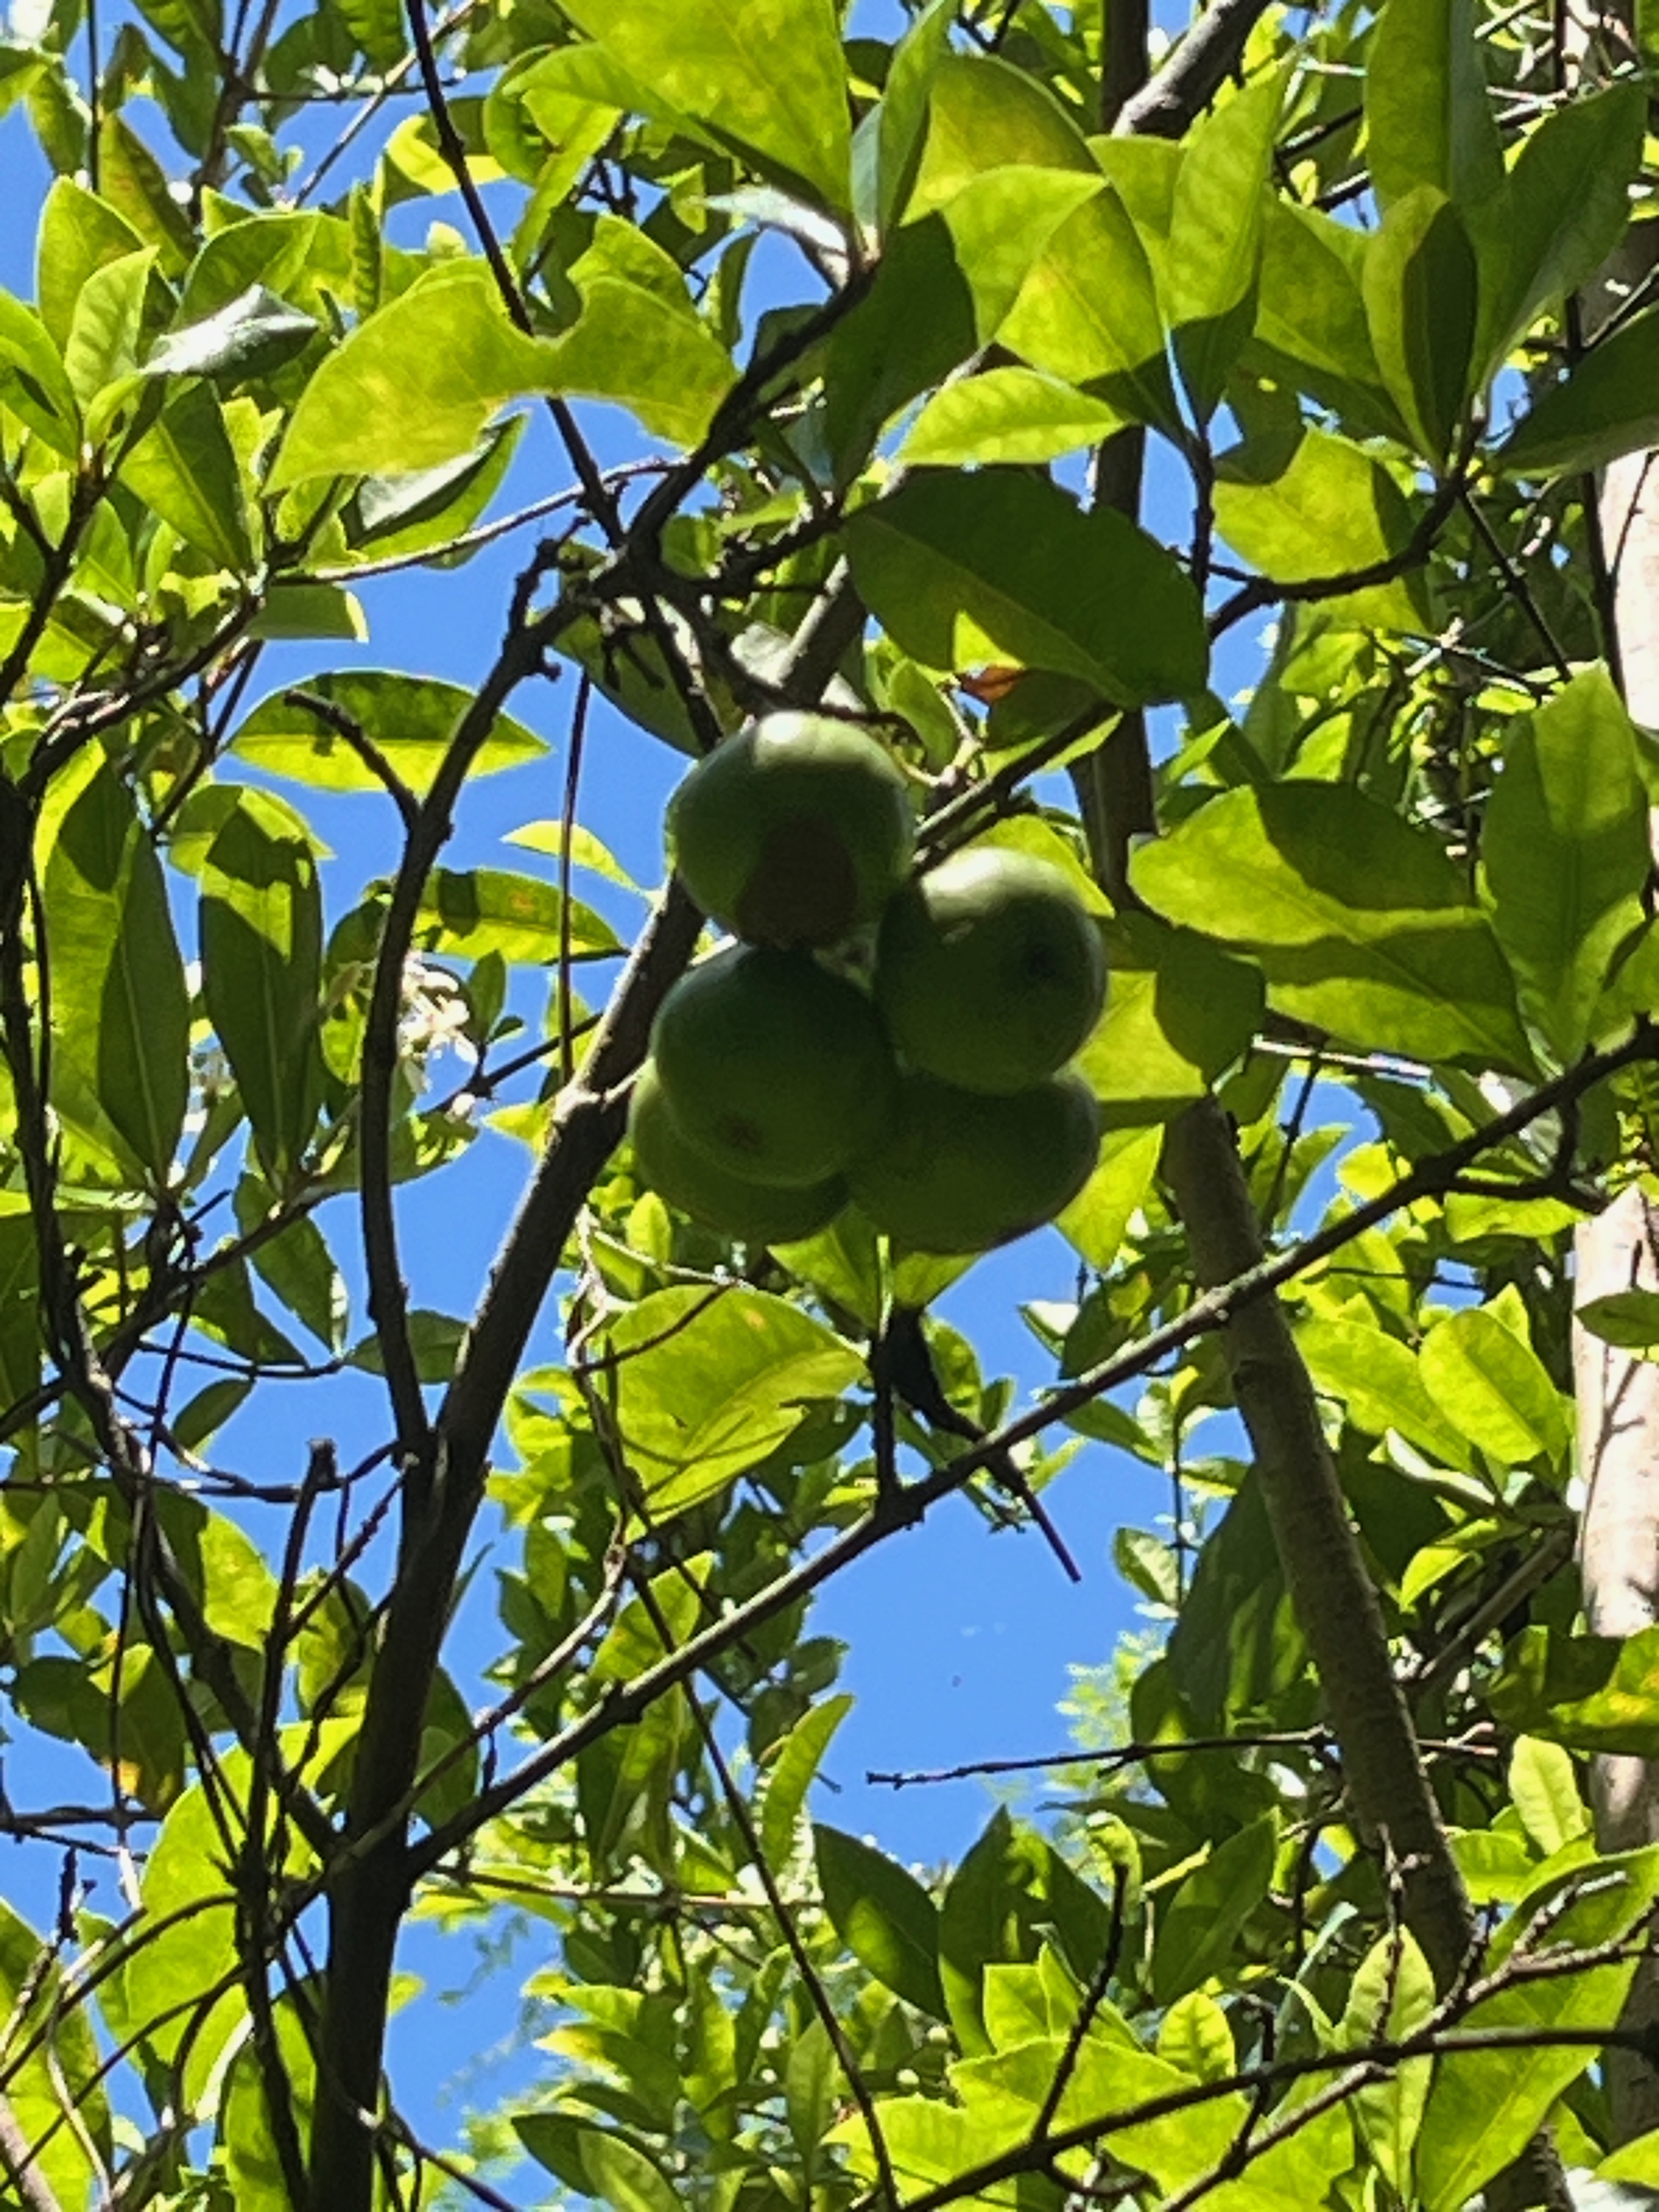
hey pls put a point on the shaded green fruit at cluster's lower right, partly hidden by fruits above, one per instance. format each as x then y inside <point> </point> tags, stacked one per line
<point>966,1171</point>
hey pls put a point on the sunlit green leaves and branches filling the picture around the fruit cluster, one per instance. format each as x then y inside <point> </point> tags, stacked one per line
<point>895,320</point>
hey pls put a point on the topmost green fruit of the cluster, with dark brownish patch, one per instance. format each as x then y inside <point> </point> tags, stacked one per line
<point>793,833</point>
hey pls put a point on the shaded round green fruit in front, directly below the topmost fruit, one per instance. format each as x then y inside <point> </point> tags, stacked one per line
<point>775,1070</point>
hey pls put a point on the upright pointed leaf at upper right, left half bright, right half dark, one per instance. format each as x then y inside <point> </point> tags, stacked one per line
<point>1421,306</point>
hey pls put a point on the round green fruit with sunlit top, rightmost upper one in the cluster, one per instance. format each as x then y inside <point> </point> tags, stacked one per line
<point>990,972</point>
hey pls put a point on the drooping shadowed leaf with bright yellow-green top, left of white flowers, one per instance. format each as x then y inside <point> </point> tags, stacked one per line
<point>262,957</point>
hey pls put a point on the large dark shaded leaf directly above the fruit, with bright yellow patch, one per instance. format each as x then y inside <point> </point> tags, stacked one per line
<point>1008,567</point>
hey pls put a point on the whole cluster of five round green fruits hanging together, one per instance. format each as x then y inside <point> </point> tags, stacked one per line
<point>778,1087</point>
